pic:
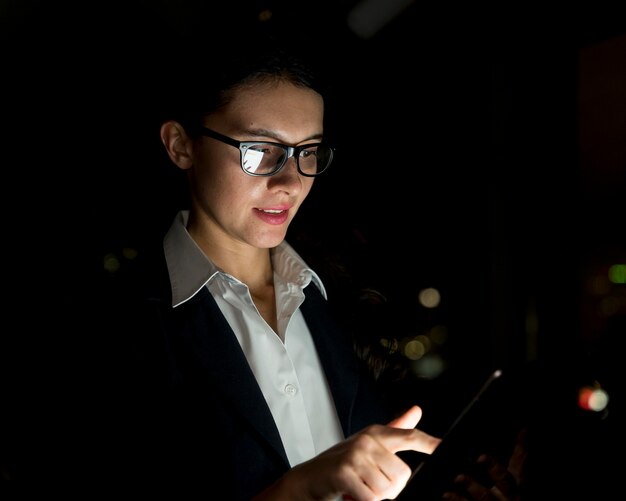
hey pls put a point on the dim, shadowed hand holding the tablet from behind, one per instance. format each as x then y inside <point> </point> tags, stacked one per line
<point>503,482</point>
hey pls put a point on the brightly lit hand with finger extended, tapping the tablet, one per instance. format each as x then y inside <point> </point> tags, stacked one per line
<point>364,466</point>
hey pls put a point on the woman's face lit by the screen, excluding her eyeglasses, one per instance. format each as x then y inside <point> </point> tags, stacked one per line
<point>232,207</point>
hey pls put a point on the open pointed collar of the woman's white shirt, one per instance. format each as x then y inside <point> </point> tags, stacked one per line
<point>190,269</point>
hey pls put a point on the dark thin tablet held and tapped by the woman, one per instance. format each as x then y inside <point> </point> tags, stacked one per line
<point>475,431</point>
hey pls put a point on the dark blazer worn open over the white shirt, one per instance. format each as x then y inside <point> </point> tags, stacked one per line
<point>190,416</point>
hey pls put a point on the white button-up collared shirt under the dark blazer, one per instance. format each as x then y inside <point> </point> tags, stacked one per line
<point>285,363</point>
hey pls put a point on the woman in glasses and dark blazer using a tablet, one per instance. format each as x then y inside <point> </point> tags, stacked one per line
<point>244,386</point>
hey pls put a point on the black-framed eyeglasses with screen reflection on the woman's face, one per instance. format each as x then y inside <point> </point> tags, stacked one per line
<point>264,158</point>
